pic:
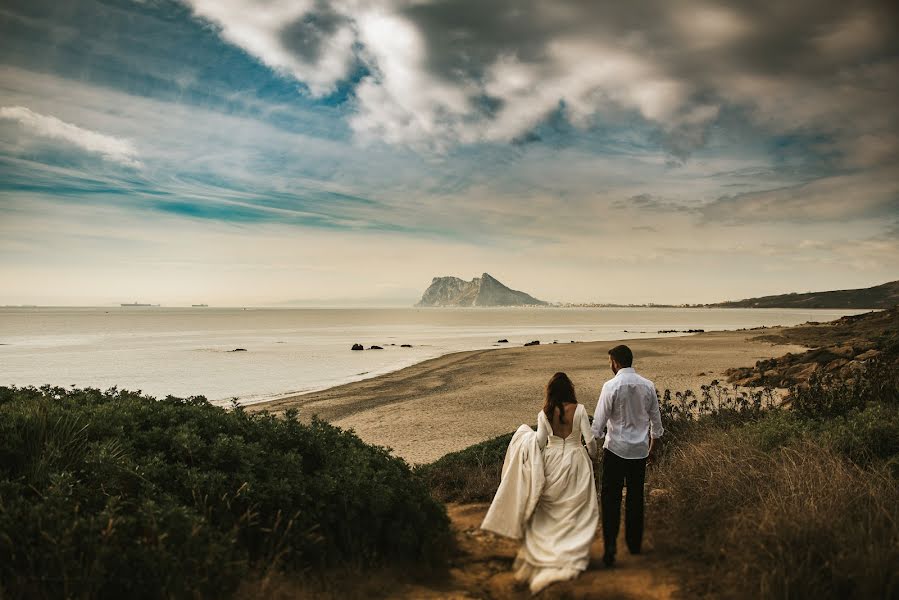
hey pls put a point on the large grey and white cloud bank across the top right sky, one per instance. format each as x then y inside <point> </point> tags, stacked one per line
<point>462,71</point>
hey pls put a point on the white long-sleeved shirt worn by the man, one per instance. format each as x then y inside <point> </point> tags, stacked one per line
<point>628,409</point>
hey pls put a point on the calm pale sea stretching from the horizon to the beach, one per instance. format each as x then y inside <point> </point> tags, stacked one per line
<point>186,351</point>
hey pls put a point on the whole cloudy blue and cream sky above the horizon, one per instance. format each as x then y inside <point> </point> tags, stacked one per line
<point>345,152</point>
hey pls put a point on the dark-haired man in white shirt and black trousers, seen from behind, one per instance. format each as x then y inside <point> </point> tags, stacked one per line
<point>628,409</point>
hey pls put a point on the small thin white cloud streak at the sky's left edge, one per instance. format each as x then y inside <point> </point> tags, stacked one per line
<point>110,148</point>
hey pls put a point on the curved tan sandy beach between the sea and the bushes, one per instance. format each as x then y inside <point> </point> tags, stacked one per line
<point>448,403</point>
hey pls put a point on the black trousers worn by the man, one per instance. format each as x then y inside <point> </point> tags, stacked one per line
<point>617,473</point>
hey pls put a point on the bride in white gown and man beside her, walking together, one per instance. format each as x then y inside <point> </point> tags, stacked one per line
<point>547,495</point>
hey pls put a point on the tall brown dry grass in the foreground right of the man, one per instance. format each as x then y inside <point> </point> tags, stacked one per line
<point>800,522</point>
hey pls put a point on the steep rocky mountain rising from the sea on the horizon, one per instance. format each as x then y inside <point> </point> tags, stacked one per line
<point>480,291</point>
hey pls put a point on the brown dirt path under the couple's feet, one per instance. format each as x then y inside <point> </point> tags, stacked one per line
<point>482,570</point>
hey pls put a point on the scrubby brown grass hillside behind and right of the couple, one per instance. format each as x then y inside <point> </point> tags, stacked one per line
<point>757,499</point>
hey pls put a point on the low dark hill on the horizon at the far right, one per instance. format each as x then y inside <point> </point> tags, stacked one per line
<point>881,296</point>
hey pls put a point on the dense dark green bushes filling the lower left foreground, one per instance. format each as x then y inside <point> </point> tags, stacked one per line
<point>111,494</point>
